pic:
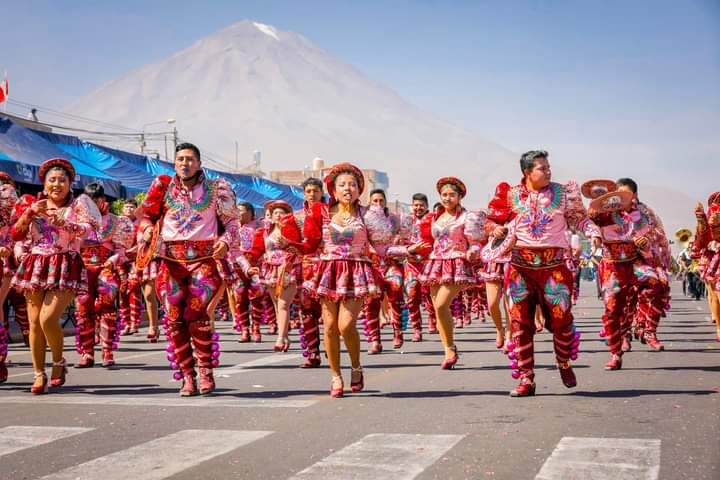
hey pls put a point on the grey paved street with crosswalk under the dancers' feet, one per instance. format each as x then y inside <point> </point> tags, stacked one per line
<point>659,417</point>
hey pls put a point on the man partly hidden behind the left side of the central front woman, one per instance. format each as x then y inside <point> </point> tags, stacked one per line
<point>309,304</point>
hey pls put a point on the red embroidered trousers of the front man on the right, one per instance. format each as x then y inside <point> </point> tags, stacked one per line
<point>549,289</point>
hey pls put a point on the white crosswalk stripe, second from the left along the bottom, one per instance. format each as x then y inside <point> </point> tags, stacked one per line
<point>162,457</point>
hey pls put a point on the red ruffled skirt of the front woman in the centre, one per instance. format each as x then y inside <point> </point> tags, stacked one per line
<point>344,279</point>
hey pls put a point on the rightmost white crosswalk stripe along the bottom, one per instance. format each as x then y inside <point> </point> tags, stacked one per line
<point>603,459</point>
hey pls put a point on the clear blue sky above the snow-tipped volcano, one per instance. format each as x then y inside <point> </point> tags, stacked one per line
<point>631,80</point>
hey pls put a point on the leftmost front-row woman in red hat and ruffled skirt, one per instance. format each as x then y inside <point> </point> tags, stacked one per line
<point>51,273</point>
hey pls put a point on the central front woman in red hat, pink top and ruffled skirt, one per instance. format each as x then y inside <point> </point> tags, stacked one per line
<point>344,276</point>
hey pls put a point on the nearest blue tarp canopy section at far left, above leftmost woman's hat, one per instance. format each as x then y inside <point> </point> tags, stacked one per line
<point>25,148</point>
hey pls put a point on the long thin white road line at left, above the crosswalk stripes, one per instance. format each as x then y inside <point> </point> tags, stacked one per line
<point>141,401</point>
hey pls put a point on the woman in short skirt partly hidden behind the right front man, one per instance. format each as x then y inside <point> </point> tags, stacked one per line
<point>499,214</point>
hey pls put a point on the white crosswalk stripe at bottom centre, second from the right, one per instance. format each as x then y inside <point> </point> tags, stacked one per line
<point>396,456</point>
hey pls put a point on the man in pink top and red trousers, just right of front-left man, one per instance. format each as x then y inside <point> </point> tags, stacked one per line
<point>245,291</point>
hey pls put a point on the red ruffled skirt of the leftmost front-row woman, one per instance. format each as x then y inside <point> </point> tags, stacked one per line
<point>62,271</point>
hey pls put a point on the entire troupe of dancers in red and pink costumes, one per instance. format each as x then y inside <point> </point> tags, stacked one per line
<point>330,266</point>
